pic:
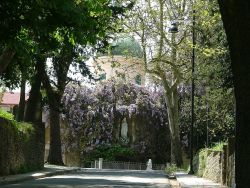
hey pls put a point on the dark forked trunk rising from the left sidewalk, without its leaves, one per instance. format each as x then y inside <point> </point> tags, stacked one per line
<point>61,67</point>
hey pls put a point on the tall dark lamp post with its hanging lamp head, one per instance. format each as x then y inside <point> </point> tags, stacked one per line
<point>174,29</point>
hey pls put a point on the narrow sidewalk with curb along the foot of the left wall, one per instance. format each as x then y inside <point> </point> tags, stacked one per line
<point>6,181</point>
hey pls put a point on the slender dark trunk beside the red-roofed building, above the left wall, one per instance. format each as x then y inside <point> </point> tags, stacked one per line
<point>21,107</point>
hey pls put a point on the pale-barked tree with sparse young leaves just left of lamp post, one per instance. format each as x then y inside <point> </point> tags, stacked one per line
<point>163,54</point>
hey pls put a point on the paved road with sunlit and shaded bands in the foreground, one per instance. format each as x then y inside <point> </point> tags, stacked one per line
<point>104,178</point>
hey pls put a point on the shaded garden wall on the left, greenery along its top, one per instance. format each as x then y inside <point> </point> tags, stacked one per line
<point>21,147</point>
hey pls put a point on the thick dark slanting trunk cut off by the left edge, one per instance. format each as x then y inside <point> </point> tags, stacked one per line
<point>6,58</point>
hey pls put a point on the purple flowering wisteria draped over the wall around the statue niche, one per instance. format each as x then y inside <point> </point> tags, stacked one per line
<point>90,113</point>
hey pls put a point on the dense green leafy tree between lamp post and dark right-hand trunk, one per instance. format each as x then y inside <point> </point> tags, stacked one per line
<point>214,100</point>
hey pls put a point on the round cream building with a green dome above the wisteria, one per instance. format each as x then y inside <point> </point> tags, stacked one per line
<point>123,62</point>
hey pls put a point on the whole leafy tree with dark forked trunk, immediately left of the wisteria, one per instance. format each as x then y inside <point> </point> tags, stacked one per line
<point>92,23</point>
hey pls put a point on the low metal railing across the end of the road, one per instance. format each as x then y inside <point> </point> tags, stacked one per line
<point>126,165</point>
